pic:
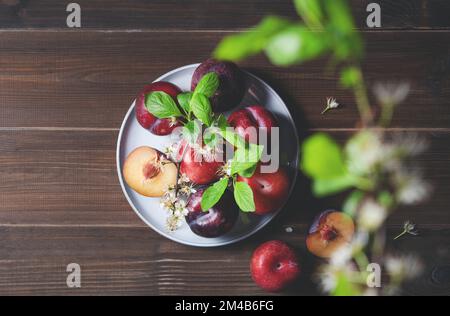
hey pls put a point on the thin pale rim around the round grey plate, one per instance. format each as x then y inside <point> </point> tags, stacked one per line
<point>167,234</point>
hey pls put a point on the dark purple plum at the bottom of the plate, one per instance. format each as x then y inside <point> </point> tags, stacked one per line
<point>214,222</point>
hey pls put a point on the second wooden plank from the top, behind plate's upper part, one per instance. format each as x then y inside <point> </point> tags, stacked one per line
<point>90,78</point>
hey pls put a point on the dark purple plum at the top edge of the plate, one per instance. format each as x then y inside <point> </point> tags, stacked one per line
<point>231,87</point>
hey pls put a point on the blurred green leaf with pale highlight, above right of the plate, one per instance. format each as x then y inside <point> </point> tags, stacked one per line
<point>295,45</point>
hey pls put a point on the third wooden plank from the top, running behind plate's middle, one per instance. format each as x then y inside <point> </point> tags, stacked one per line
<point>68,178</point>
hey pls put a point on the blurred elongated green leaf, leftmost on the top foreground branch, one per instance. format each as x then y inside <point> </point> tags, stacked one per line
<point>251,42</point>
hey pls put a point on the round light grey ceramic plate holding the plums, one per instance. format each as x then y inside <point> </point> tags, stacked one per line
<point>132,135</point>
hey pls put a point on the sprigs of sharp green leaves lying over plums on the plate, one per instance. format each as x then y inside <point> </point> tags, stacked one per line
<point>195,110</point>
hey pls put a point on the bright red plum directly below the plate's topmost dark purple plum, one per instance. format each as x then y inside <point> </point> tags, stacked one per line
<point>248,122</point>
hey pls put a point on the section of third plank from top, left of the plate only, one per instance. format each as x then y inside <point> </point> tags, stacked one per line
<point>61,178</point>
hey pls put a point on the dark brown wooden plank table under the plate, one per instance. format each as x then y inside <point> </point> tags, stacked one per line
<point>64,93</point>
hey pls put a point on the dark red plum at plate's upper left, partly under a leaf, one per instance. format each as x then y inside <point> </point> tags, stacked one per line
<point>149,121</point>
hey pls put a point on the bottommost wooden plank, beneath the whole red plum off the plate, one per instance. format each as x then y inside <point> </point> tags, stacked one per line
<point>136,261</point>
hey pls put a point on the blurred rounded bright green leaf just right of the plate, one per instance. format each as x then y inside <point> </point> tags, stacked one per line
<point>322,158</point>
